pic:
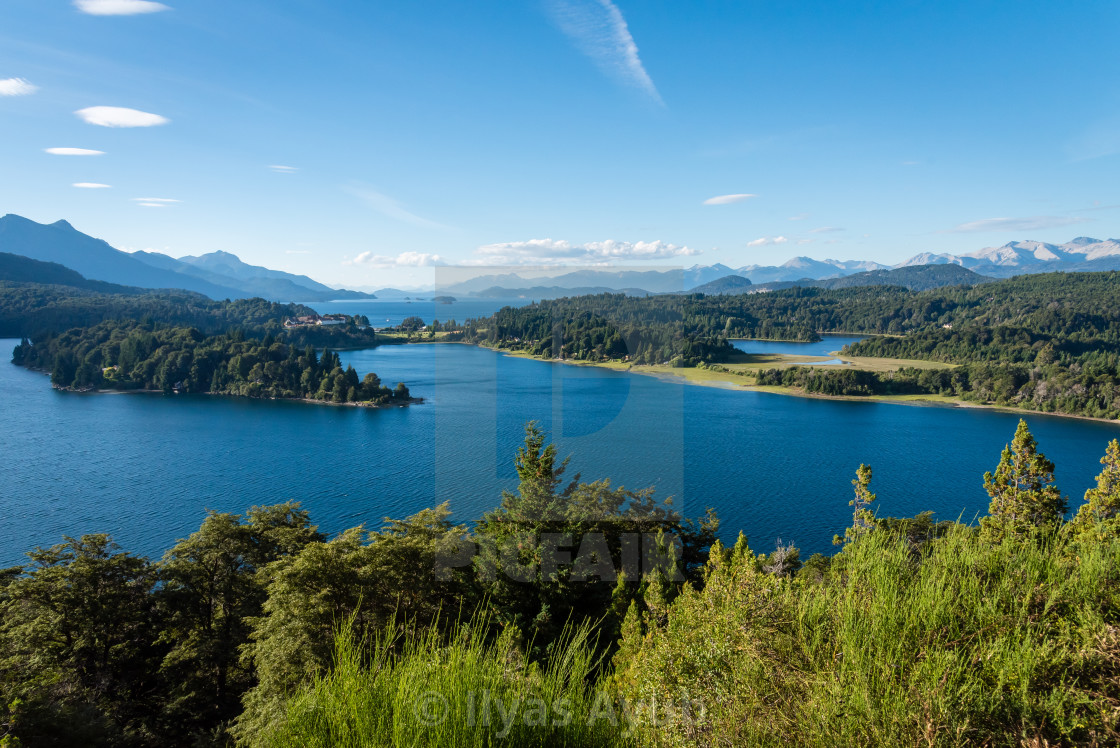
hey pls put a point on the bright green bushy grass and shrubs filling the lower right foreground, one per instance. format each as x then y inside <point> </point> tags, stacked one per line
<point>972,643</point>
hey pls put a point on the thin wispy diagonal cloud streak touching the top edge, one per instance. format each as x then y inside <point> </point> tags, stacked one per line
<point>599,31</point>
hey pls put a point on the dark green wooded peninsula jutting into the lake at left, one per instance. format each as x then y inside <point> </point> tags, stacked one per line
<point>144,357</point>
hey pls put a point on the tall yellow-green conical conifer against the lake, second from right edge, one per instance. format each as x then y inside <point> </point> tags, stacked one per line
<point>1023,492</point>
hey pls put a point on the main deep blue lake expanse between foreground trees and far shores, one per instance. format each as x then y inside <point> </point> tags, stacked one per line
<point>145,467</point>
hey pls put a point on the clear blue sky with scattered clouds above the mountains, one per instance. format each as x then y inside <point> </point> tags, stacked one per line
<point>561,130</point>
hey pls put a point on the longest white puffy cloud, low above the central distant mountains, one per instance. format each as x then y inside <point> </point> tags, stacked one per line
<point>548,251</point>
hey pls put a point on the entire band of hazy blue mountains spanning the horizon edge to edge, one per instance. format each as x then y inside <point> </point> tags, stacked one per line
<point>222,275</point>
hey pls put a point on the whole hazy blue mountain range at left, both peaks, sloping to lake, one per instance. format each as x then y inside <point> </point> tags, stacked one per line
<point>218,275</point>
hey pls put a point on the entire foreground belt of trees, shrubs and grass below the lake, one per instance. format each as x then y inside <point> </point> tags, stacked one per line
<point>582,614</point>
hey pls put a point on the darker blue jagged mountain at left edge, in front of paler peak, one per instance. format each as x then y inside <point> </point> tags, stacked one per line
<point>96,259</point>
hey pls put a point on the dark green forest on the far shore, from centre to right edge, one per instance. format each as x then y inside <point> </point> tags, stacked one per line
<point>1049,342</point>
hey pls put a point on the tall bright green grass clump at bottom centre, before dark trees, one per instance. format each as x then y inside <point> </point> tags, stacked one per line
<point>424,689</point>
